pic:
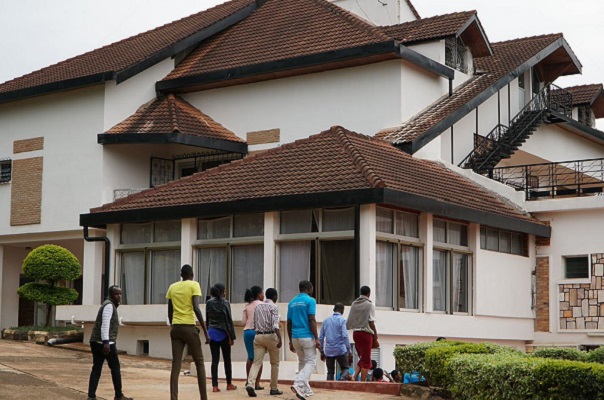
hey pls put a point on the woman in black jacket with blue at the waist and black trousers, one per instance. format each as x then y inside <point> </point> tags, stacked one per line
<point>222,334</point>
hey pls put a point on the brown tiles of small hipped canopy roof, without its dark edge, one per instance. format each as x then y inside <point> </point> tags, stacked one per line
<point>172,114</point>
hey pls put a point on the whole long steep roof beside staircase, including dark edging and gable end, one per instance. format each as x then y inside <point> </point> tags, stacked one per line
<point>509,60</point>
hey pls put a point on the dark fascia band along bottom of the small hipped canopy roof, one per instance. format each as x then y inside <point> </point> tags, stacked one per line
<point>179,138</point>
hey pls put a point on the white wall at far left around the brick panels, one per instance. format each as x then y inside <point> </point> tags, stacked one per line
<point>69,123</point>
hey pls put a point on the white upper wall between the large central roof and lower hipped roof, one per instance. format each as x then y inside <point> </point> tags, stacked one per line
<point>363,99</point>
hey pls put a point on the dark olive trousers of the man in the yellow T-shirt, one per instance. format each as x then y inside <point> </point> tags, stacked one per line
<point>189,335</point>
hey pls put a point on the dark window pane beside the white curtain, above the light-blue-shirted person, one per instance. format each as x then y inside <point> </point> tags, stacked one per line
<point>337,272</point>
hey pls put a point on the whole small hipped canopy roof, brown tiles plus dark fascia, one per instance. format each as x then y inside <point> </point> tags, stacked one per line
<point>170,119</point>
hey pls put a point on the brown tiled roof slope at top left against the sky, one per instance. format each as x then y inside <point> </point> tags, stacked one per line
<point>129,52</point>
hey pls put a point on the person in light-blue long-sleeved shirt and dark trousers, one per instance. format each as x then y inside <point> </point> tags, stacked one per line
<point>335,343</point>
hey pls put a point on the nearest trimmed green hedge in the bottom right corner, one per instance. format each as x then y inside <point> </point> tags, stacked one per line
<point>510,377</point>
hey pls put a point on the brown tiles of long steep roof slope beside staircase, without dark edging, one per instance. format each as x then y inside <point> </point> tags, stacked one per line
<point>507,56</point>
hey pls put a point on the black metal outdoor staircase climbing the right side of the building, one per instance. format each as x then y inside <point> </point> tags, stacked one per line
<point>502,141</point>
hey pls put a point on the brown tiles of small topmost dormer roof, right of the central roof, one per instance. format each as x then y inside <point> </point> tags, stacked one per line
<point>429,28</point>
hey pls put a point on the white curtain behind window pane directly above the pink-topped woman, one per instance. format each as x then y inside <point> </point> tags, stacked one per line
<point>247,268</point>
